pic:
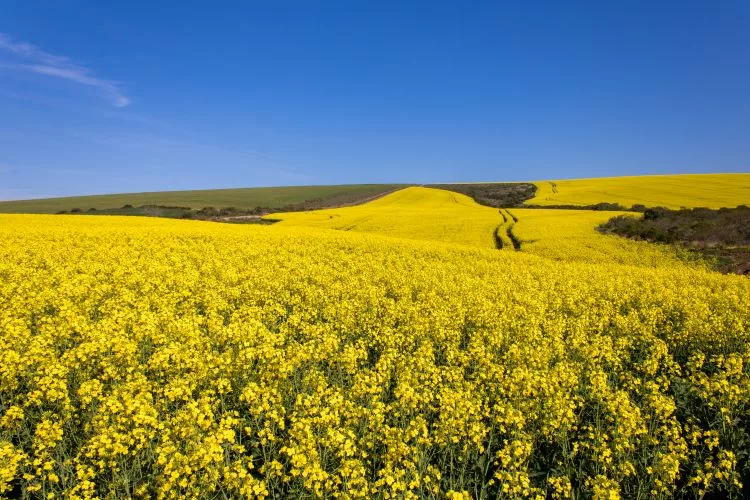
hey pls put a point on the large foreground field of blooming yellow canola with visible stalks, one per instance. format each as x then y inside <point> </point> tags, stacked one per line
<point>160,358</point>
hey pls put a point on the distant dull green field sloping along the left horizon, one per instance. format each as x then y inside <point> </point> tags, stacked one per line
<point>295,197</point>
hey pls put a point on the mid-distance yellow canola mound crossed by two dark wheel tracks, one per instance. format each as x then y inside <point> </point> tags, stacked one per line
<point>448,217</point>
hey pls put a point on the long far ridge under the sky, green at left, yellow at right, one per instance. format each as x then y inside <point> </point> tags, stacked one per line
<point>671,191</point>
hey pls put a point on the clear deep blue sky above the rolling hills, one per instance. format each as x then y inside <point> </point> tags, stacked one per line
<point>99,97</point>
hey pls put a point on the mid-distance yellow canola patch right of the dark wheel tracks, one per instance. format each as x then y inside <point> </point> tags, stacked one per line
<point>570,235</point>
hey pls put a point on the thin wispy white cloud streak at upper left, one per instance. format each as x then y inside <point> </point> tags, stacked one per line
<point>43,63</point>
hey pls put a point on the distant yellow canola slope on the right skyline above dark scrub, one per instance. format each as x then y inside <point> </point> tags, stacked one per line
<point>671,191</point>
